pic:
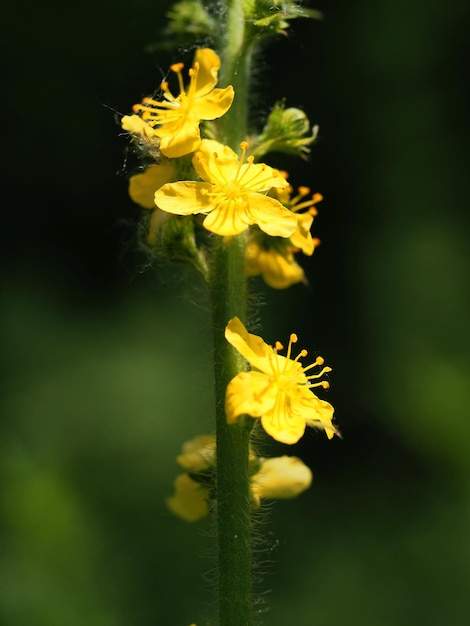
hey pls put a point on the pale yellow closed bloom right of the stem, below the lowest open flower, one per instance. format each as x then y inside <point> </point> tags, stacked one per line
<point>280,478</point>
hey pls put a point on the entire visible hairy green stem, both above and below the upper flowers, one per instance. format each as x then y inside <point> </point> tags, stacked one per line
<point>229,299</point>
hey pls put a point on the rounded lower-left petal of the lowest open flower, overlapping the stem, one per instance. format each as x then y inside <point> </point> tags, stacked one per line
<point>249,393</point>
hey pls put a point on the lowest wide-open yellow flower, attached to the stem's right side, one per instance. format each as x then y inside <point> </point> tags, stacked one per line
<point>279,391</point>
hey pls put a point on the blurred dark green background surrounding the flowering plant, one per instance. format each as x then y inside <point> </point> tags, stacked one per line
<point>106,361</point>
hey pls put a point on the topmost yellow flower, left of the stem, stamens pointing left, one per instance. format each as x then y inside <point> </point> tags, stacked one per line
<point>175,120</point>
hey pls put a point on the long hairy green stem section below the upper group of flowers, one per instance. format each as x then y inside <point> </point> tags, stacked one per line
<point>228,290</point>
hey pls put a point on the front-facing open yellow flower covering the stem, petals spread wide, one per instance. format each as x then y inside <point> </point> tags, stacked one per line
<point>233,194</point>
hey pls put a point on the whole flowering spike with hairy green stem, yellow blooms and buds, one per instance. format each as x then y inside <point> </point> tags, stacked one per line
<point>212,199</point>
